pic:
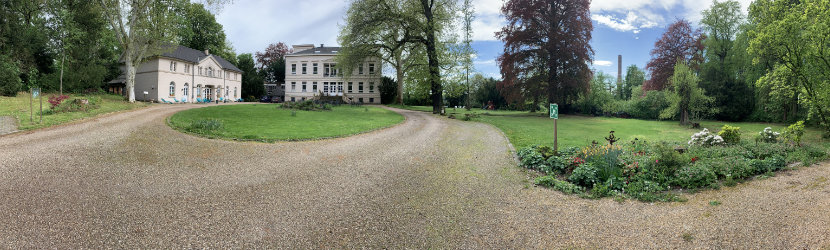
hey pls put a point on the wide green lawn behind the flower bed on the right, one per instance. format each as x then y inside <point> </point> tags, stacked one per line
<point>524,129</point>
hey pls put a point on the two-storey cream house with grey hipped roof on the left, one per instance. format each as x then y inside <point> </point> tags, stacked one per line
<point>184,75</point>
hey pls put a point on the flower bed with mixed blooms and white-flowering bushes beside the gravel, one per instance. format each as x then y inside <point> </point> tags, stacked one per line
<point>658,171</point>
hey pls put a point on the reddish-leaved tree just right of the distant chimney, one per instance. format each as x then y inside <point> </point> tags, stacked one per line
<point>680,42</point>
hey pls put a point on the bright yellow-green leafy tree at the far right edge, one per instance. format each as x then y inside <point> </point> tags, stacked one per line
<point>797,34</point>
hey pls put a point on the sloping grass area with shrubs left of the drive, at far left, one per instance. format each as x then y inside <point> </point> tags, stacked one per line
<point>18,107</point>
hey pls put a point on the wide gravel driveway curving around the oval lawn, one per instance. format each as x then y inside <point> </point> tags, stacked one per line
<point>129,181</point>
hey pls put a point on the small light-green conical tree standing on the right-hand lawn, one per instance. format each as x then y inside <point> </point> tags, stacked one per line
<point>687,99</point>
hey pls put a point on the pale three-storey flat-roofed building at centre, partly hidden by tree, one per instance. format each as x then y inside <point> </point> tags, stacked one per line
<point>311,72</point>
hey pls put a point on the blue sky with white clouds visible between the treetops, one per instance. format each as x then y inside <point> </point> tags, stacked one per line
<point>621,27</point>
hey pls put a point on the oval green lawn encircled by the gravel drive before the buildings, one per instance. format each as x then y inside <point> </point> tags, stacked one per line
<point>267,122</point>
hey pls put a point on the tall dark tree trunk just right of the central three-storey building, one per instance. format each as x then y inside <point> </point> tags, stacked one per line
<point>432,54</point>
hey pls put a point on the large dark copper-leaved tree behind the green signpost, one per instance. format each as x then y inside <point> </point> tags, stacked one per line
<point>547,48</point>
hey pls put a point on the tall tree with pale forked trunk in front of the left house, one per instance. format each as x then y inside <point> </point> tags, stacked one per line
<point>143,28</point>
